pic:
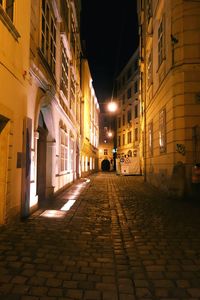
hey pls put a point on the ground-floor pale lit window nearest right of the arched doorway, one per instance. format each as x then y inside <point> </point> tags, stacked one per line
<point>63,150</point>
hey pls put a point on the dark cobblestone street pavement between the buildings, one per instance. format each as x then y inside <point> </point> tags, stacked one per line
<point>120,240</point>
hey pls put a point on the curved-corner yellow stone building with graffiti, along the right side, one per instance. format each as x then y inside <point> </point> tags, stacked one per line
<point>170,80</point>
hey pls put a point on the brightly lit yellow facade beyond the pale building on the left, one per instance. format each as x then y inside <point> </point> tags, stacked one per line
<point>89,122</point>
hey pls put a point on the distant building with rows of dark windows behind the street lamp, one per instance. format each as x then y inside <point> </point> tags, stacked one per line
<point>128,117</point>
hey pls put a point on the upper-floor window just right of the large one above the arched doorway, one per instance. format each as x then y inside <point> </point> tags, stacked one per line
<point>65,73</point>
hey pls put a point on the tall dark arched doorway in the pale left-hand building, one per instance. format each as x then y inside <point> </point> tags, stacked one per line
<point>41,160</point>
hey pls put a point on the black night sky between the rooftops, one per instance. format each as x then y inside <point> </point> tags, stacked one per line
<point>109,28</point>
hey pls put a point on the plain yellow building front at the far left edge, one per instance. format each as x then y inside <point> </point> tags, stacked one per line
<point>14,64</point>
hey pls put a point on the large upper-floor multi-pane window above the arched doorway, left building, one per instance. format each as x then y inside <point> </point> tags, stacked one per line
<point>48,35</point>
